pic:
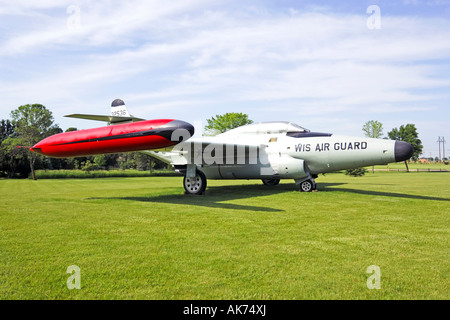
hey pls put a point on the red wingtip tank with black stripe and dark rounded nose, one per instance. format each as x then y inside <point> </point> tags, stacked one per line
<point>136,136</point>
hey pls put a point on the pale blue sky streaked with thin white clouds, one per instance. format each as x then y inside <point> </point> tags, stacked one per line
<point>329,66</point>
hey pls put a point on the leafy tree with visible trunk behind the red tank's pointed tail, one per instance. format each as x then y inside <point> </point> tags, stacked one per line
<point>33,123</point>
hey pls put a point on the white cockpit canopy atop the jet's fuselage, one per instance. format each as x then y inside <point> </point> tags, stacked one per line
<point>272,127</point>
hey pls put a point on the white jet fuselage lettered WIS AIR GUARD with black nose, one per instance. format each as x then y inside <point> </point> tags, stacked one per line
<point>284,156</point>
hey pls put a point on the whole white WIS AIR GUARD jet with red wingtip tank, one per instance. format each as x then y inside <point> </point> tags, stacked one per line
<point>269,151</point>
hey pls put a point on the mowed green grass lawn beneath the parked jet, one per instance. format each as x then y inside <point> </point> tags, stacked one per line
<point>142,238</point>
